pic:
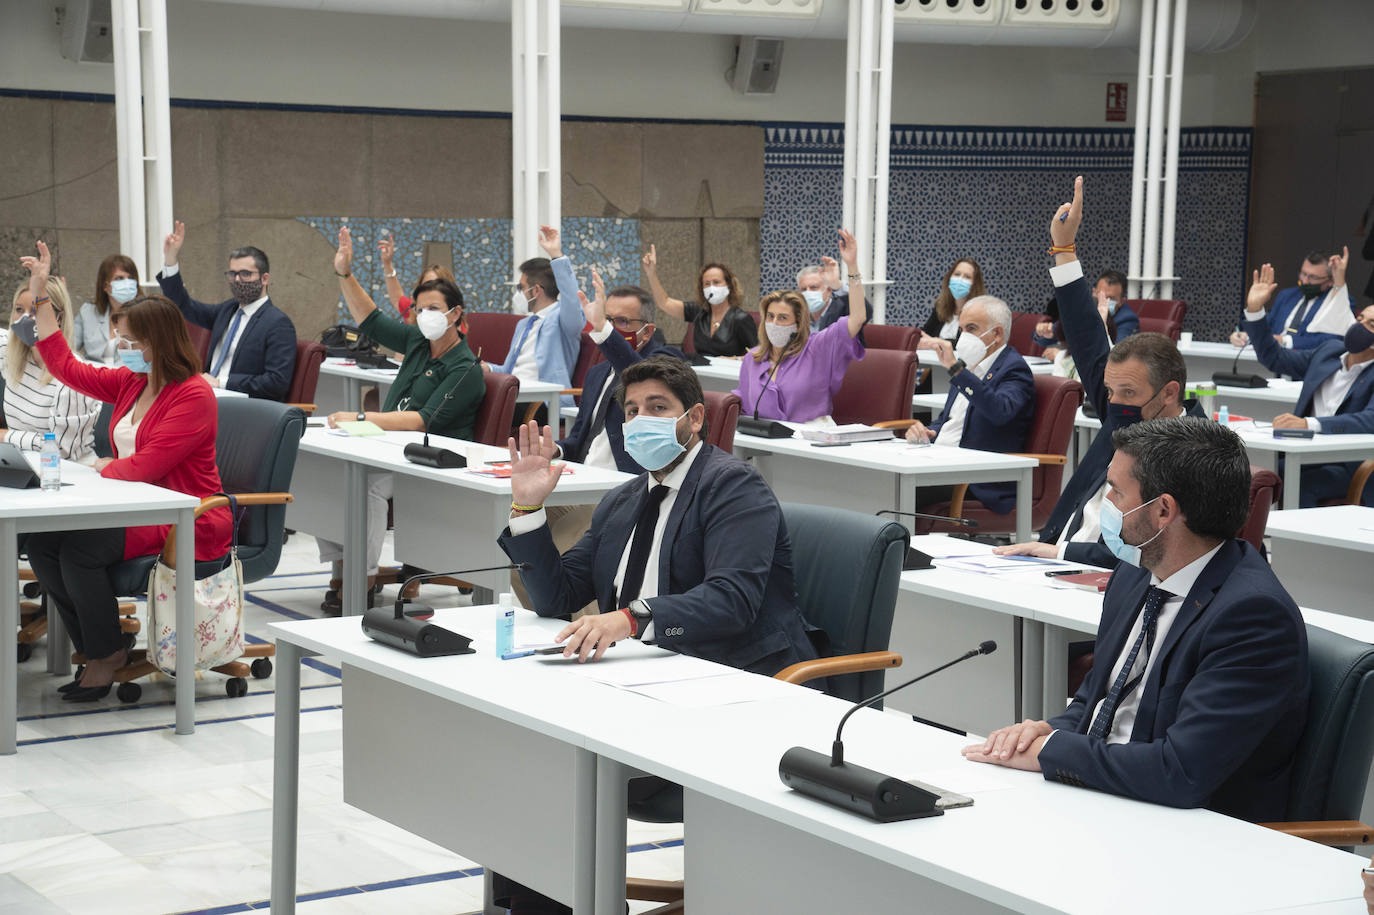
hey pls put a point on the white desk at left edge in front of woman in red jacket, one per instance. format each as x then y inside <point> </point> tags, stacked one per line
<point>89,502</point>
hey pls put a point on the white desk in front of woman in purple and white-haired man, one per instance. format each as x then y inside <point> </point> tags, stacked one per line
<point>879,476</point>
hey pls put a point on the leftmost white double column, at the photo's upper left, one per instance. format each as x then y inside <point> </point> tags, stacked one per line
<point>128,127</point>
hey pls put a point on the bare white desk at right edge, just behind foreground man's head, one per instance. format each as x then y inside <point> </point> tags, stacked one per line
<point>1321,556</point>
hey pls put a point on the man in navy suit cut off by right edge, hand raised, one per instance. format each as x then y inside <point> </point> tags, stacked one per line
<point>1338,392</point>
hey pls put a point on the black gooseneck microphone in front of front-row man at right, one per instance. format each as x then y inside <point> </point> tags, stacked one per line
<point>853,788</point>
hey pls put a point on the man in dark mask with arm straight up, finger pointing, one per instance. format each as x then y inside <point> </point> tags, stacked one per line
<point>1144,377</point>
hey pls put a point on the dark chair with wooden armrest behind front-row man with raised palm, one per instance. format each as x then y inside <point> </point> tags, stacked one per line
<point>848,567</point>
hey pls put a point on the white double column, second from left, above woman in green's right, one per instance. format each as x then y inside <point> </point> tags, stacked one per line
<point>537,115</point>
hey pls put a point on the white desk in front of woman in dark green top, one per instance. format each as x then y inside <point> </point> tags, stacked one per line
<point>444,519</point>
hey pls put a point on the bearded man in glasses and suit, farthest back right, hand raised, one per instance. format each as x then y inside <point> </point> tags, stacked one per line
<point>1316,311</point>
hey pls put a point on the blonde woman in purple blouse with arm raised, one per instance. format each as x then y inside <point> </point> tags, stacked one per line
<point>793,374</point>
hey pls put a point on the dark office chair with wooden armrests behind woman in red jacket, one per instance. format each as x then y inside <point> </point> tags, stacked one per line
<point>255,451</point>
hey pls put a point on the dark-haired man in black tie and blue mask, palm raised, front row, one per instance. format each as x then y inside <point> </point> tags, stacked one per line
<point>693,556</point>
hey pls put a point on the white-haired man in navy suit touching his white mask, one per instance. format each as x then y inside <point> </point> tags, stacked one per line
<point>991,399</point>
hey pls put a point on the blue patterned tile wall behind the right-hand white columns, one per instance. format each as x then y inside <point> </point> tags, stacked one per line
<point>989,193</point>
